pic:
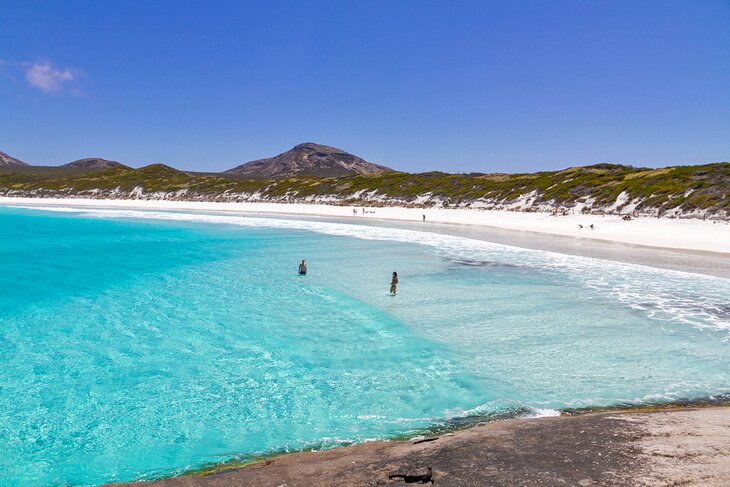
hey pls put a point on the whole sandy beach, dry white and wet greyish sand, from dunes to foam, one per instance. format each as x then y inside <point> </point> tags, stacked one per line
<point>483,225</point>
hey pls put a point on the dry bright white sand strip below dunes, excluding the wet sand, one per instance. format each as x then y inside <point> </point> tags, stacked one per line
<point>688,234</point>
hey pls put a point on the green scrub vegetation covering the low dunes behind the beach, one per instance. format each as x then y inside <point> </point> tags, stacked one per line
<point>688,188</point>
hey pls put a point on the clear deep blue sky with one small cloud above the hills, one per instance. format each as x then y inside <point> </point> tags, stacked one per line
<point>417,85</point>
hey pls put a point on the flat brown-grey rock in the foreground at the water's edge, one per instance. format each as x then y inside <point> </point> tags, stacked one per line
<point>680,447</point>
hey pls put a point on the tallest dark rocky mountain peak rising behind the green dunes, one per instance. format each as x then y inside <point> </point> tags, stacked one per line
<point>308,160</point>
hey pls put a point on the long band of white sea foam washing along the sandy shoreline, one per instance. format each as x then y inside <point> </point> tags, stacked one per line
<point>661,294</point>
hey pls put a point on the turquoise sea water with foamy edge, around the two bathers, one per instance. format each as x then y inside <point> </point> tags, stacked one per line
<point>136,344</point>
